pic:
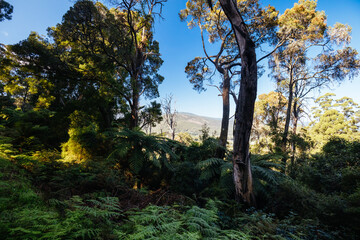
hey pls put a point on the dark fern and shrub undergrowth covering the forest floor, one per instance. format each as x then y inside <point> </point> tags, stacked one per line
<point>42,197</point>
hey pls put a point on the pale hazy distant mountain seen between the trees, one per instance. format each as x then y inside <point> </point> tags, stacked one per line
<point>192,124</point>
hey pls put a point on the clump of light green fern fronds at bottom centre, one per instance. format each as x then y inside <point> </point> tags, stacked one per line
<point>156,222</point>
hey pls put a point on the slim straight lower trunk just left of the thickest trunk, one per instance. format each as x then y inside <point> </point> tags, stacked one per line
<point>226,114</point>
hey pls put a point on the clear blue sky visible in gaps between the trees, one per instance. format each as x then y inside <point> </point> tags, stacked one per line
<point>178,45</point>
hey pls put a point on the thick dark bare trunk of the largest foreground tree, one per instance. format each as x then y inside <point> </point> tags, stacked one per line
<point>245,104</point>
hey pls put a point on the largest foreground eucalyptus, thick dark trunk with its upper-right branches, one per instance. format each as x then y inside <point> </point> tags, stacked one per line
<point>246,43</point>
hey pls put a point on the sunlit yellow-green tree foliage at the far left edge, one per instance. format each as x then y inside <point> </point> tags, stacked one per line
<point>25,74</point>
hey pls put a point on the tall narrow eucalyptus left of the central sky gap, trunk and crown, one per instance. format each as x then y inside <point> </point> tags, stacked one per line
<point>145,61</point>
